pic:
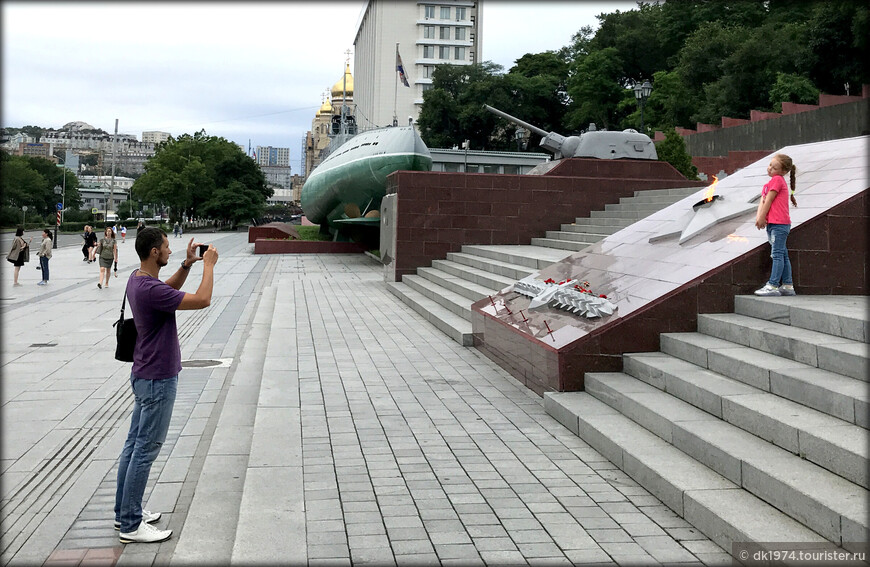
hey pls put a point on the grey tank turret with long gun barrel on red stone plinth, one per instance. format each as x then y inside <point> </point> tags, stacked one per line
<point>594,143</point>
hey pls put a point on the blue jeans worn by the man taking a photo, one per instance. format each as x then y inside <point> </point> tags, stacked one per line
<point>152,411</point>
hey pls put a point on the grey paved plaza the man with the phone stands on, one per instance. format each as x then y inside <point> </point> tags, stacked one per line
<point>319,421</point>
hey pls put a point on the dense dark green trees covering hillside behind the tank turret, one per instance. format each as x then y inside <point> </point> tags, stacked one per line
<point>706,59</point>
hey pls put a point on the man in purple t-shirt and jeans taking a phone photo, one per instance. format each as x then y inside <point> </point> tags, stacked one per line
<point>154,377</point>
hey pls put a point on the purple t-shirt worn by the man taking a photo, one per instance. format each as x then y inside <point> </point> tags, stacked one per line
<point>153,304</point>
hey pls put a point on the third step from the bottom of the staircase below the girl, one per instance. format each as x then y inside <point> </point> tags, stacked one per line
<point>832,443</point>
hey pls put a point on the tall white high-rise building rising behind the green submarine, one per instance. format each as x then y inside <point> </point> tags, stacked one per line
<point>428,33</point>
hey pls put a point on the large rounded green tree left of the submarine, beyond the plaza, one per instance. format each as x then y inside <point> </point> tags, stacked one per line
<point>186,173</point>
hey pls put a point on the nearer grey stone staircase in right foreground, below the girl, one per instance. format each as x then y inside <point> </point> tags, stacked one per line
<point>753,429</point>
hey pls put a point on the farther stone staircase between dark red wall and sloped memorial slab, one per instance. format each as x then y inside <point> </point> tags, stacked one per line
<point>444,292</point>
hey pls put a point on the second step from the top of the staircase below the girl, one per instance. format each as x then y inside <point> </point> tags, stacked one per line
<point>835,354</point>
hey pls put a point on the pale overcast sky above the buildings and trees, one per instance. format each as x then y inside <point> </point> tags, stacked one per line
<point>243,71</point>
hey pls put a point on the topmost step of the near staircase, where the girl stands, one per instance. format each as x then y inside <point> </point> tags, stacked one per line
<point>846,316</point>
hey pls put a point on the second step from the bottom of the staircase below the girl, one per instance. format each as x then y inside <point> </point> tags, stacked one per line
<point>826,503</point>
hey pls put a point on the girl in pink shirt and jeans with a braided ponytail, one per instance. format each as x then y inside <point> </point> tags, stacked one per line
<point>773,215</point>
